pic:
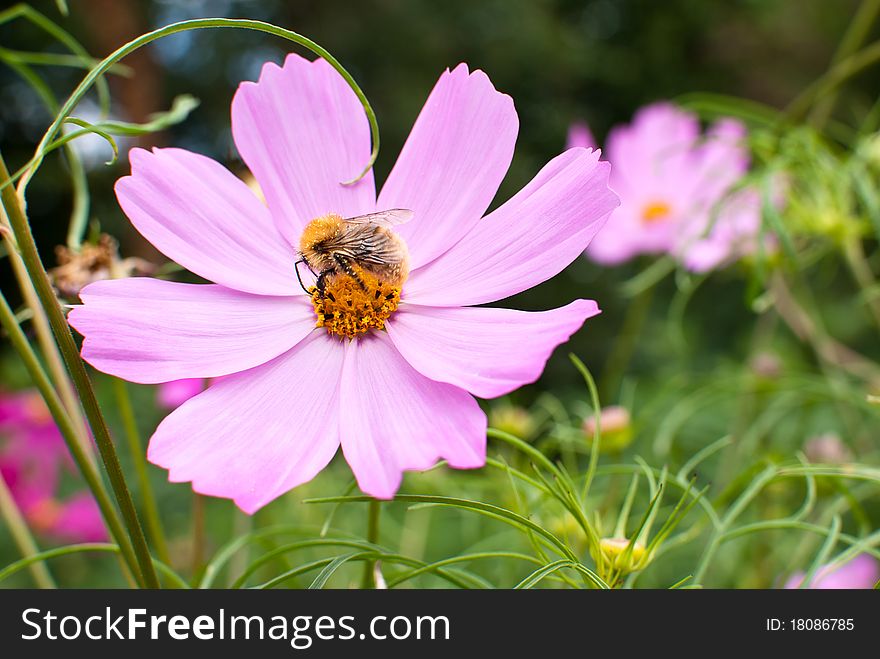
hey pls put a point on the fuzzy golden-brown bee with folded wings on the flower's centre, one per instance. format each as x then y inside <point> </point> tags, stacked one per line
<point>353,246</point>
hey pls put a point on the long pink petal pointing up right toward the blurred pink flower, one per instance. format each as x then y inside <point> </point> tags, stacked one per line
<point>526,241</point>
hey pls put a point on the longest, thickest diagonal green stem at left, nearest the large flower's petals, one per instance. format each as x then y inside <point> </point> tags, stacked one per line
<point>75,366</point>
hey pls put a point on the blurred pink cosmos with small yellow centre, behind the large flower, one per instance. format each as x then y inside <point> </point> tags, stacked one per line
<point>675,189</point>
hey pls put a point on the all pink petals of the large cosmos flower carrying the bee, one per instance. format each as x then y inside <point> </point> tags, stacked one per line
<point>396,399</point>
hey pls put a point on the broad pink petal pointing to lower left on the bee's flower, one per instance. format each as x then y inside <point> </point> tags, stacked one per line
<point>253,436</point>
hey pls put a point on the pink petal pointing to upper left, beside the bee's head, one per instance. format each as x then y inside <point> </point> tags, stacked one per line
<point>200,215</point>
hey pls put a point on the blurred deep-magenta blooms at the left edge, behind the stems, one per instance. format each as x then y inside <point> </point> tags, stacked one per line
<point>31,456</point>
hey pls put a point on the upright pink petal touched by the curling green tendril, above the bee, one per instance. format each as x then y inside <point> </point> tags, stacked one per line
<point>302,132</point>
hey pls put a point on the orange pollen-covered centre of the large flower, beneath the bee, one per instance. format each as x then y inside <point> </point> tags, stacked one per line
<point>349,308</point>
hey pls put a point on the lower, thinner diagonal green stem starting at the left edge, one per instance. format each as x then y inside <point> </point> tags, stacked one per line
<point>65,426</point>
